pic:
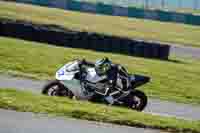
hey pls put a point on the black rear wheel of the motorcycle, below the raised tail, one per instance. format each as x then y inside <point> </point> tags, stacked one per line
<point>137,100</point>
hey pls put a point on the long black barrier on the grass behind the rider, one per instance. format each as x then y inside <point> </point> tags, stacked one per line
<point>84,40</point>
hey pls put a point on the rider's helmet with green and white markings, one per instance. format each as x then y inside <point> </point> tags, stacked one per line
<point>102,66</point>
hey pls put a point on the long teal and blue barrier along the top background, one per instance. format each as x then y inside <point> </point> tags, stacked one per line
<point>115,10</point>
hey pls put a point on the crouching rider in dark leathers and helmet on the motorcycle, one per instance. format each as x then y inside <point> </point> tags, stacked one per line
<point>112,71</point>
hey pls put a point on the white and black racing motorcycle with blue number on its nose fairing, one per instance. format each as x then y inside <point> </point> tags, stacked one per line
<point>73,81</point>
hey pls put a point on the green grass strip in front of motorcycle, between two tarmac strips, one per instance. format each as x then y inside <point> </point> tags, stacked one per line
<point>23,101</point>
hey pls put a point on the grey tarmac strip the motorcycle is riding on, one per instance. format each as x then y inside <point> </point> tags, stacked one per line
<point>157,107</point>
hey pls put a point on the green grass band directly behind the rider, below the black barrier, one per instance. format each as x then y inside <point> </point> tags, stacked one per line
<point>177,81</point>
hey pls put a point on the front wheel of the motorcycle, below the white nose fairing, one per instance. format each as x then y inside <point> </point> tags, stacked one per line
<point>55,88</point>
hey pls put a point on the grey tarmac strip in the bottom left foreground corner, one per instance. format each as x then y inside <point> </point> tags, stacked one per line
<point>18,122</point>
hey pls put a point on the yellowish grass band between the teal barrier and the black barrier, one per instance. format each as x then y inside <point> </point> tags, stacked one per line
<point>187,35</point>
